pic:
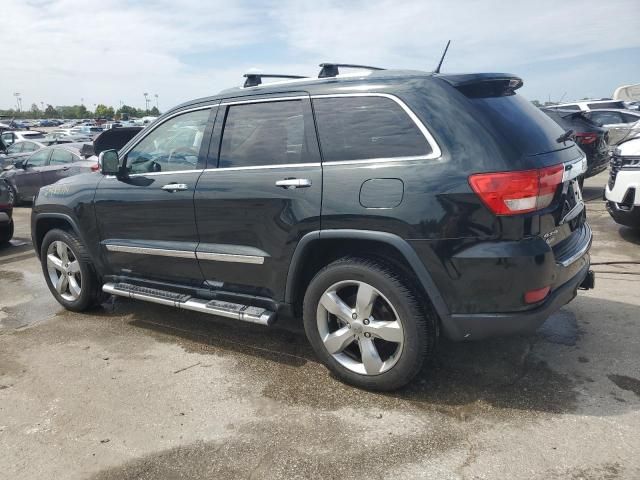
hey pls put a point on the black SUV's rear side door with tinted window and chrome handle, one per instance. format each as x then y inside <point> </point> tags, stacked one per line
<point>261,194</point>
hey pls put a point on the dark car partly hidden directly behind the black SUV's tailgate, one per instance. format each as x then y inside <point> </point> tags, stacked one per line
<point>592,138</point>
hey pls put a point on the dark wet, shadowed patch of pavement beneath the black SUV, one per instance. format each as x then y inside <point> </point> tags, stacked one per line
<point>466,379</point>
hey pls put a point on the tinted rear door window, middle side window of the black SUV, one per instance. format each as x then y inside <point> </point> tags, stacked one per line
<point>267,133</point>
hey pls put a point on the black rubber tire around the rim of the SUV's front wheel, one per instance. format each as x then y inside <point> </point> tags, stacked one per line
<point>86,270</point>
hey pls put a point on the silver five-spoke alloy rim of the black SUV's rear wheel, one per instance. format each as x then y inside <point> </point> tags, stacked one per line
<point>359,327</point>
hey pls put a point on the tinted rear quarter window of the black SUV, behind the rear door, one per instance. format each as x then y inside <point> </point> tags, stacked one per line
<point>358,128</point>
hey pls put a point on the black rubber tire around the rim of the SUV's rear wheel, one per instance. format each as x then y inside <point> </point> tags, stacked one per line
<point>415,335</point>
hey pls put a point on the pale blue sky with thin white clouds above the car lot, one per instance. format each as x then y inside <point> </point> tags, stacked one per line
<point>111,51</point>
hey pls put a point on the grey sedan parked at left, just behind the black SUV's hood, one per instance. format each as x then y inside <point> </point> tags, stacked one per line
<point>47,166</point>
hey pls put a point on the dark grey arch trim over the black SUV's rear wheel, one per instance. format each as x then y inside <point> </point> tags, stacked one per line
<point>318,248</point>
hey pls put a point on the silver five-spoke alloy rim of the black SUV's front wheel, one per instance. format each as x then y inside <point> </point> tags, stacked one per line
<point>64,271</point>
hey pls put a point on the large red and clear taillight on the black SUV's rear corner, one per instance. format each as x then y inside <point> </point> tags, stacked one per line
<point>511,193</point>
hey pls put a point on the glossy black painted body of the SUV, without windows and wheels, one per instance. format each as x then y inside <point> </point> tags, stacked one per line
<point>474,266</point>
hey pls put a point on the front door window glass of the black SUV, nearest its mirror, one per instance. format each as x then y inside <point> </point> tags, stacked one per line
<point>172,146</point>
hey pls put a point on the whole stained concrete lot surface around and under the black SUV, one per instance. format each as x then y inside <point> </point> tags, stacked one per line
<point>140,391</point>
